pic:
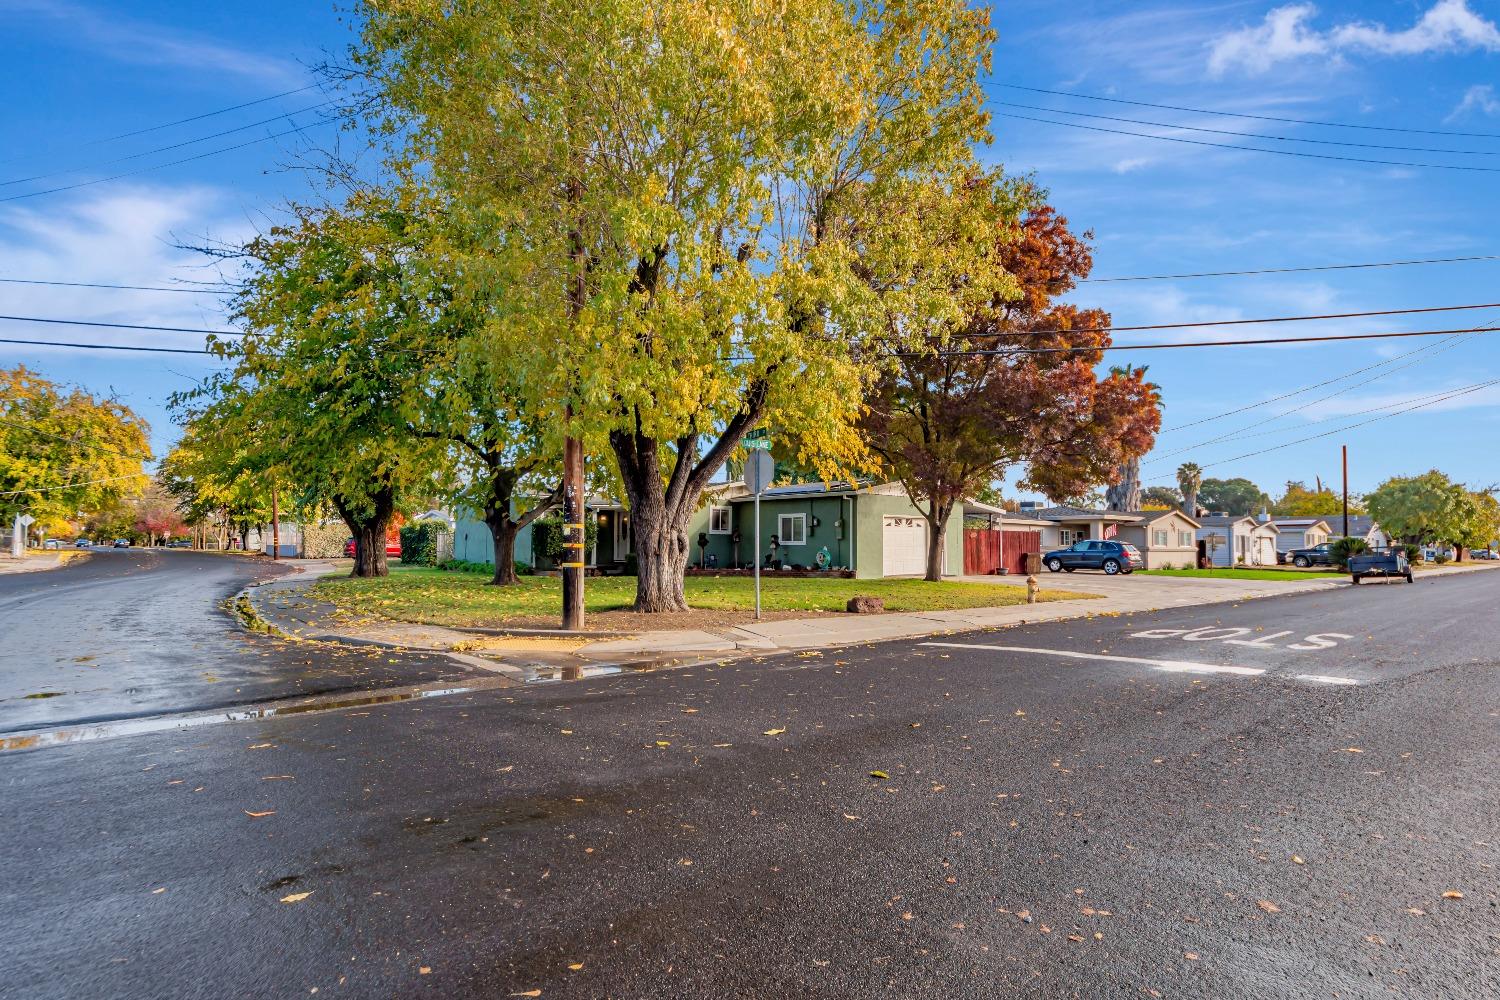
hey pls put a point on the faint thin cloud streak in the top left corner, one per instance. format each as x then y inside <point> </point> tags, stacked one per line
<point>157,46</point>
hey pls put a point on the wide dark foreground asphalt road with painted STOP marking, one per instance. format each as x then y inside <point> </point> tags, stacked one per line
<point>1189,818</point>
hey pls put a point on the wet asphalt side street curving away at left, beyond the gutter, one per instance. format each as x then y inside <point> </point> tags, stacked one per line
<point>143,632</point>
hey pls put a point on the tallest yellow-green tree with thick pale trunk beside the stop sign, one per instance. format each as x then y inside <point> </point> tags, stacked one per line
<point>677,182</point>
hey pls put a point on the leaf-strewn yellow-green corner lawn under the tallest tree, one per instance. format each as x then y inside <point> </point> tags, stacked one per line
<point>439,597</point>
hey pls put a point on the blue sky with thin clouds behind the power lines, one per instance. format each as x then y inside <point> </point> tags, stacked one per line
<point>82,71</point>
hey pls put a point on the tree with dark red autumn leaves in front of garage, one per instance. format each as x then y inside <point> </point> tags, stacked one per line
<point>1013,385</point>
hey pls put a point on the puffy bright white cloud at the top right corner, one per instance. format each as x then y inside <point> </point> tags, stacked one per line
<point>1288,34</point>
